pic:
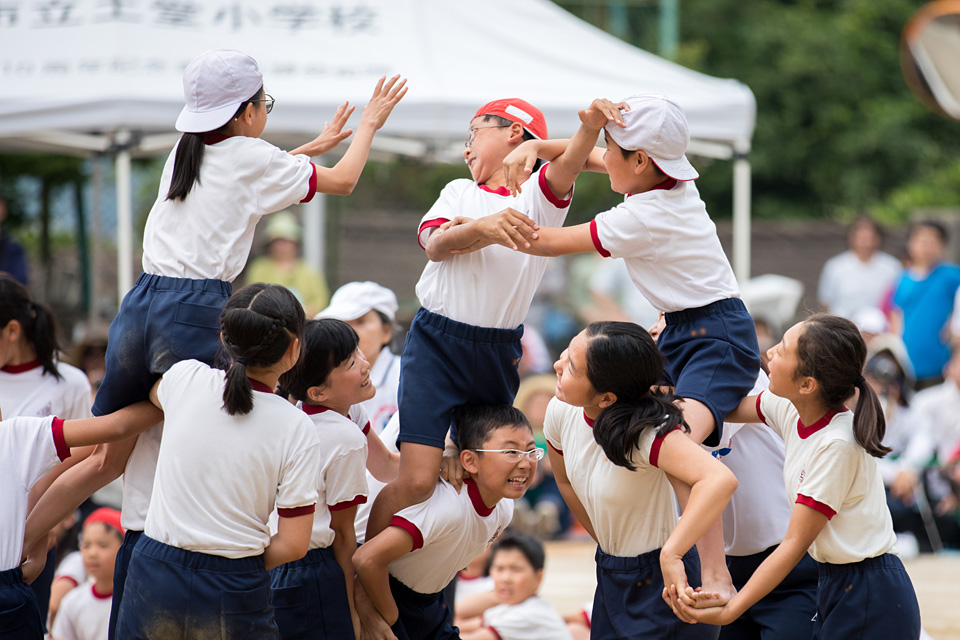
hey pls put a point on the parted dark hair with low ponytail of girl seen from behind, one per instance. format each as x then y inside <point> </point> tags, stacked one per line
<point>258,324</point>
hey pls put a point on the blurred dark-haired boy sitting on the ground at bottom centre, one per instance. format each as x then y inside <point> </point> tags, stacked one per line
<point>520,614</point>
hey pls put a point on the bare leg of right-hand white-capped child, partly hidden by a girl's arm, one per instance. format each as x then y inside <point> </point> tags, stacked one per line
<point>714,574</point>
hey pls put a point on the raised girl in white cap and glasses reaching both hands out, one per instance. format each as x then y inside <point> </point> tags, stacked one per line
<point>215,186</point>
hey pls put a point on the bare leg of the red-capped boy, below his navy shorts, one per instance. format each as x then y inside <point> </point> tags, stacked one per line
<point>419,471</point>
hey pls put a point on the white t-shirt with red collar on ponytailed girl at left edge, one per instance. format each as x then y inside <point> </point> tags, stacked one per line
<point>27,391</point>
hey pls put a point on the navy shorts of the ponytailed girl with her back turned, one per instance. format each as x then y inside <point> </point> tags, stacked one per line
<point>175,593</point>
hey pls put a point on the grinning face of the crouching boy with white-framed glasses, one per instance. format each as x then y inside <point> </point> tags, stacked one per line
<point>497,477</point>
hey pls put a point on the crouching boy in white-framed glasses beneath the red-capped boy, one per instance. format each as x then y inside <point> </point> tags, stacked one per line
<point>405,568</point>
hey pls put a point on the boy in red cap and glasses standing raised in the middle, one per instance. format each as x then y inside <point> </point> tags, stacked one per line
<point>464,344</point>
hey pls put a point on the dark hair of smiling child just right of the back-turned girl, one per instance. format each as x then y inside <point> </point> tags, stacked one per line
<point>326,344</point>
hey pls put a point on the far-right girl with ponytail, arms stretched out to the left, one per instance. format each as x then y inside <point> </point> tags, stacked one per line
<point>840,513</point>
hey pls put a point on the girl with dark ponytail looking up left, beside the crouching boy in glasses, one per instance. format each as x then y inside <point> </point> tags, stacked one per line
<point>617,445</point>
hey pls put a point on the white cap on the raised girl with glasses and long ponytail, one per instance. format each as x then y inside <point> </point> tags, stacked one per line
<point>215,84</point>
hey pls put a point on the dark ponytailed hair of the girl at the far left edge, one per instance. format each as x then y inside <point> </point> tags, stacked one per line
<point>37,322</point>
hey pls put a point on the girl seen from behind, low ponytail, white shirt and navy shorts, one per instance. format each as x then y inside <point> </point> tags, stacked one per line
<point>232,451</point>
